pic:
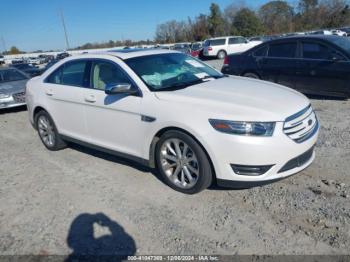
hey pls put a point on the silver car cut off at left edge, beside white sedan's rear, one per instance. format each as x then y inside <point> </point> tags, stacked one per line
<point>12,87</point>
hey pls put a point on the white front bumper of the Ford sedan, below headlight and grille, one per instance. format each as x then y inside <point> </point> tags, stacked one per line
<point>278,151</point>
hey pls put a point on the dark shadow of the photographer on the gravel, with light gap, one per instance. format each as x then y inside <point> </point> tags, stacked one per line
<point>95,237</point>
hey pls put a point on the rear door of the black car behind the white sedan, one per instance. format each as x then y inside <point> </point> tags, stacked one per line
<point>280,63</point>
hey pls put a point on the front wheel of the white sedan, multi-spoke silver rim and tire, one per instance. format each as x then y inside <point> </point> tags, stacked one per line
<point>189,173</point>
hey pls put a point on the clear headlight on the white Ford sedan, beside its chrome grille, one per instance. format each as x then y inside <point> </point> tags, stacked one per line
<point>243,128</point>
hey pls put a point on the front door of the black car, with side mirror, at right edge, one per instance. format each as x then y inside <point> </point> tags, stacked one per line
<point>322,69</point>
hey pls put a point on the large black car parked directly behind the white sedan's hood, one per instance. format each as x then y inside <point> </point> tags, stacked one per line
<point>311,64</point>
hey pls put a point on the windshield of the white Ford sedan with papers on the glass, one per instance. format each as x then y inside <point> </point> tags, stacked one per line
<point>166,72</point>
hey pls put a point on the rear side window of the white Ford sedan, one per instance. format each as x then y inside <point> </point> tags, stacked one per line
<point>70,73</point>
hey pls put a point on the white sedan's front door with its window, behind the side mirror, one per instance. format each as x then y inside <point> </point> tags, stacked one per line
<point>113,121</point>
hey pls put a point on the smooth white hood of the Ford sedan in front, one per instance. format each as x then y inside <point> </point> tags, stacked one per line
<point>240,99</point>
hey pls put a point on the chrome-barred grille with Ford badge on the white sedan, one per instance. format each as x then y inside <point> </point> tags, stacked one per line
<point>302,125</point>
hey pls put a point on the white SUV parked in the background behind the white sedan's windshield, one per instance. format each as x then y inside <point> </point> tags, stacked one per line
<point>221,46</point>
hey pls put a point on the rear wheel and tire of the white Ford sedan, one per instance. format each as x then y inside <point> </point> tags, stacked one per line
<point>47,132</point>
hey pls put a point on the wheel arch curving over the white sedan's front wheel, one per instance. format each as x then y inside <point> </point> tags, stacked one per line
<point>152,148</point>
